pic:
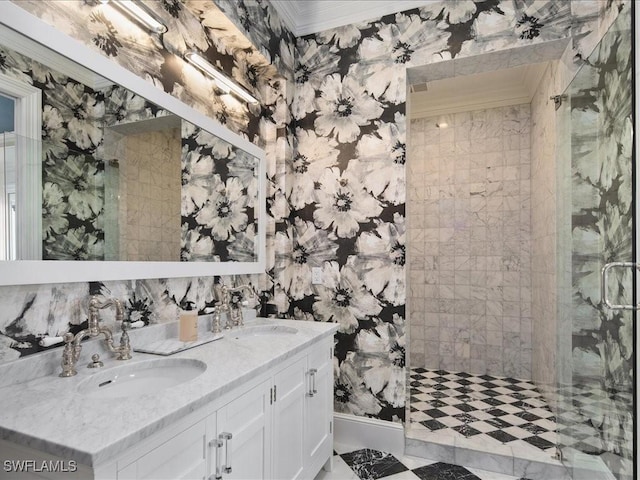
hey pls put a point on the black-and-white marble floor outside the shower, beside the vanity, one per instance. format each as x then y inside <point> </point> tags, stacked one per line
<point>367,464</point>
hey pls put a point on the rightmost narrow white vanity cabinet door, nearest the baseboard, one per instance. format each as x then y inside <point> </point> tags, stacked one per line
<point>319,407</point>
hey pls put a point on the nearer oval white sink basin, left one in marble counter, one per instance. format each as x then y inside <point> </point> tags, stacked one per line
<point>143,377</point>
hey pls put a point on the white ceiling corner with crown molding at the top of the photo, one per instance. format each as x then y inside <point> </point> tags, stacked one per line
<point>311,16</point>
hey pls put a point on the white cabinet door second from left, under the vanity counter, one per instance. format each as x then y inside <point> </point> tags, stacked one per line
<point>244,428</point>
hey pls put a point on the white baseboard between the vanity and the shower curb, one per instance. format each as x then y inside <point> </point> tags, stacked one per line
<point>364,432</point>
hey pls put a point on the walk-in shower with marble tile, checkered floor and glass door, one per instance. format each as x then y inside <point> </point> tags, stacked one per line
<point>513,210</point>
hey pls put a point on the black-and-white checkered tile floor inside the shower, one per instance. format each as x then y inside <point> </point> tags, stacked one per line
<point>490,410</point>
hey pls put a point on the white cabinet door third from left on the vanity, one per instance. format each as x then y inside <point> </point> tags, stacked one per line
<point>288,421</point>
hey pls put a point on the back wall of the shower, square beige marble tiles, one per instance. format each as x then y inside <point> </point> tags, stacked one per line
<point>469,242</point>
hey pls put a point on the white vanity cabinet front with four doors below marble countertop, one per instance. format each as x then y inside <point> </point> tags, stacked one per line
<point>278,429</point>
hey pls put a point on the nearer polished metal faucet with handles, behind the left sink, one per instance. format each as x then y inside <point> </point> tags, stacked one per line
<point>72,348</point>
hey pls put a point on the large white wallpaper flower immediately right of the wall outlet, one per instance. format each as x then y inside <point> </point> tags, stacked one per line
<point>343,298</point>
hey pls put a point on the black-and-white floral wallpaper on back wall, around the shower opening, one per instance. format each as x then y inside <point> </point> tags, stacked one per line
<point>348,188</point>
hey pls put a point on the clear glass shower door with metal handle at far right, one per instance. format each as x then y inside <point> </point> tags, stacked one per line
<point>596,225</point>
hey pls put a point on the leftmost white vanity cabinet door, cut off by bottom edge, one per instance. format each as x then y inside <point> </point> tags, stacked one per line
<point>181,457</point>
